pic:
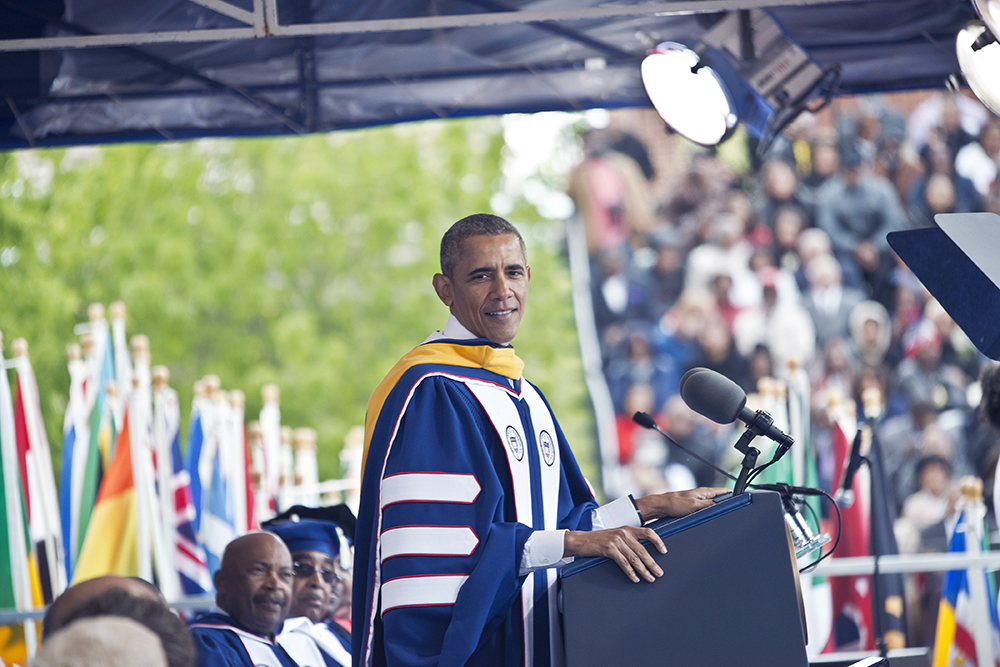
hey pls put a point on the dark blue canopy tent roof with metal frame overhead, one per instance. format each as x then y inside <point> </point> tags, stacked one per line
<point>86,71</point>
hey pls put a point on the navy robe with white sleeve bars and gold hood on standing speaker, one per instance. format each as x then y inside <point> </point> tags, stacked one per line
<point>464,461</point>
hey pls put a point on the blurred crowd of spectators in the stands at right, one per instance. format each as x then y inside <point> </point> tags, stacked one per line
<point>786,264</point>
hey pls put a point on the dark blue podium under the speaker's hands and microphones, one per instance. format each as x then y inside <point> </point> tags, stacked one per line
<point>729,595</point>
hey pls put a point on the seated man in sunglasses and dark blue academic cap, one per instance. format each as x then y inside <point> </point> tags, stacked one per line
<point>315,546</point>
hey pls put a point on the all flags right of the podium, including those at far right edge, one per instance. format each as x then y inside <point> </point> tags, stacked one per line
<point>842,612</point>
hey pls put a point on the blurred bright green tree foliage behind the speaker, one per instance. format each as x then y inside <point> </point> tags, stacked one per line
<point>302,261</point>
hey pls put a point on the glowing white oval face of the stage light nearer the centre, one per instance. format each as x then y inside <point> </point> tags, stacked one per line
<point>689,95</point>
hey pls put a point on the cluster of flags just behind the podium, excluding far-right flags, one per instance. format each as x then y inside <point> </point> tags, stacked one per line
<point>839,611</point>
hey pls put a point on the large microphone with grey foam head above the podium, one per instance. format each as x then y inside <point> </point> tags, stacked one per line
<point>715,396</point>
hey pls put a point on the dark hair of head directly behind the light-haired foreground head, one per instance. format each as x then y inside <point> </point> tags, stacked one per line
<point>173,633</point>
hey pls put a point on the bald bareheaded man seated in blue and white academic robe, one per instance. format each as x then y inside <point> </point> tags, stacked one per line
<point>253,588</point>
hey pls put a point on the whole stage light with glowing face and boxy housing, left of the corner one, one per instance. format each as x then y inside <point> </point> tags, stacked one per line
<point>744,69</point>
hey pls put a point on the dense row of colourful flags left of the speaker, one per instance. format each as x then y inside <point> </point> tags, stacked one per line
<point>128,502</point>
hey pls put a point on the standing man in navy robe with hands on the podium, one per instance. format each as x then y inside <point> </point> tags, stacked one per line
<point>471,497</point>
